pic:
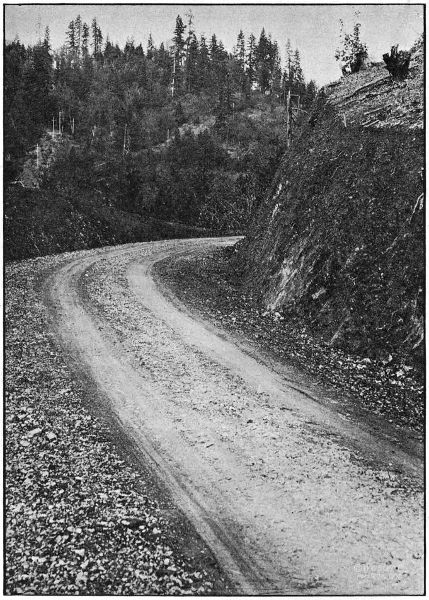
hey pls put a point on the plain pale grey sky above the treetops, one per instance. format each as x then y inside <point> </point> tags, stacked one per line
<point>313,29</point>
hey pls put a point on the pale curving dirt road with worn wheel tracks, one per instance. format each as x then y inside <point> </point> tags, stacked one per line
<point>291,497</point>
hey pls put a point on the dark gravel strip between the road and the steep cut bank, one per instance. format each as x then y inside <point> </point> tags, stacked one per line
<point>209,285</point>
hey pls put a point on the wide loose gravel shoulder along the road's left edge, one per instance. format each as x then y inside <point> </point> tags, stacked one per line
<point>79,519</point>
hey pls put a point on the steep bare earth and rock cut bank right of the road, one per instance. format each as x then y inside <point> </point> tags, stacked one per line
<point>338,245</point>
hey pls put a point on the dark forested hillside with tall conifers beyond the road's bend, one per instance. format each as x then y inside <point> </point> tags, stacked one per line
<point>106,144</point>
